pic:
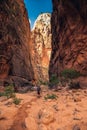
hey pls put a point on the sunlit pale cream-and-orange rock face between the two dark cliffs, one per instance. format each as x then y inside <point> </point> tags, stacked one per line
<point>41,51</point>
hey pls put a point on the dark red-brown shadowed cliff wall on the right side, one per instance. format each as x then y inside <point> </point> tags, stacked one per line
<point>69,36</point>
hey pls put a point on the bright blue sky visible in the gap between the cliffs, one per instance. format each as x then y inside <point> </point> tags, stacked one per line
<point>35,7</point>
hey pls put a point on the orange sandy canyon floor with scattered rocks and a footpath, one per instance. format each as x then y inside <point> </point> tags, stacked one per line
<point>67,112</point>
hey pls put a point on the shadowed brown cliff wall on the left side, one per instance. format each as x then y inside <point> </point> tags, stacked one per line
<point>15,58</point>
